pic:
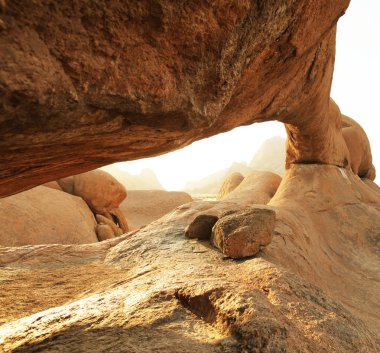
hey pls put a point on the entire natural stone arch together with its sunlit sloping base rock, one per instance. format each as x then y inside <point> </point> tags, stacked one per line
<point>86,85</point>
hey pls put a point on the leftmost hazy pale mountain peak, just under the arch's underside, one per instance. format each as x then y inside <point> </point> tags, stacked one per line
<point>146,180</point>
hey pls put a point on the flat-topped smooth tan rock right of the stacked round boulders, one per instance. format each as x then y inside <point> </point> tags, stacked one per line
<point>145,206</point>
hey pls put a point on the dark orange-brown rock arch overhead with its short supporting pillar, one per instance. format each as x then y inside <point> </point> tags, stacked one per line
<point>87,85</point>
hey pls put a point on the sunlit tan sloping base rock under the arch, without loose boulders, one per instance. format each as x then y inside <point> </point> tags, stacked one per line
<point>160,291</point>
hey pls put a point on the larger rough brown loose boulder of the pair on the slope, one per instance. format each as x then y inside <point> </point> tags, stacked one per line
<point>244,233</point>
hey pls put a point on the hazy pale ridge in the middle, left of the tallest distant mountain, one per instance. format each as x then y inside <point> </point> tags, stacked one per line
<point>212,183</point>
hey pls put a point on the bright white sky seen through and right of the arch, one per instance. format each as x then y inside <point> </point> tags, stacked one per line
<point>355,88</point>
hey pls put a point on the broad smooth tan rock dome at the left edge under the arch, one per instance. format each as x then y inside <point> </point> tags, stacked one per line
<point>45,216</point>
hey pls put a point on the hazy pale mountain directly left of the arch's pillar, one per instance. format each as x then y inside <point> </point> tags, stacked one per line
<point>270,156</point>
